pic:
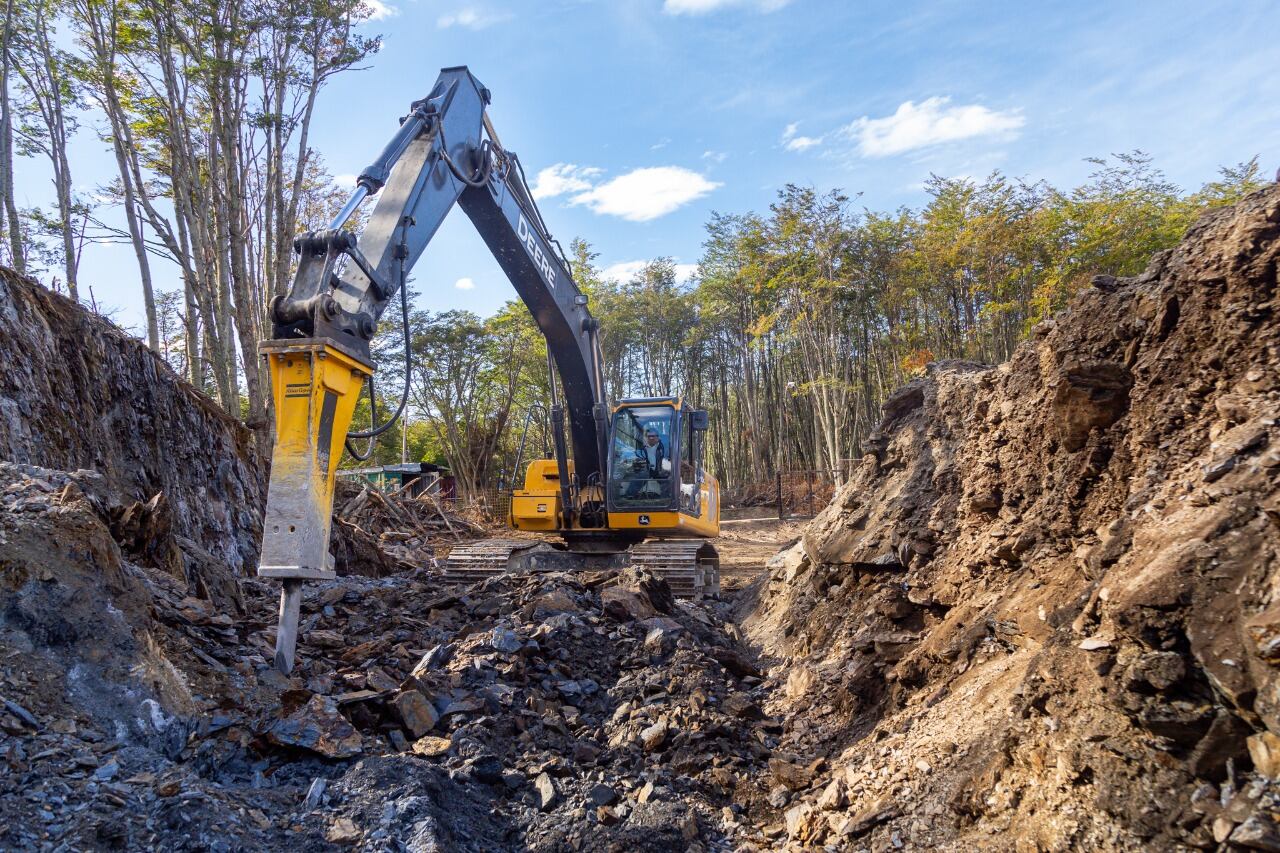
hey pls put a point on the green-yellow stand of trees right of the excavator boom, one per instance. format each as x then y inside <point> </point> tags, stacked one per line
<point>803,320</point>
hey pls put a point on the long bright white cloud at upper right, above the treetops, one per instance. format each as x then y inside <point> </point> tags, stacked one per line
<point>931,122</point>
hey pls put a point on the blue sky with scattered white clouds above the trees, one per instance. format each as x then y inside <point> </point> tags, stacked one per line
<point>642,117</point>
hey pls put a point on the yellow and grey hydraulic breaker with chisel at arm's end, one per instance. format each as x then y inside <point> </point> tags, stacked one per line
<point>316,384</point>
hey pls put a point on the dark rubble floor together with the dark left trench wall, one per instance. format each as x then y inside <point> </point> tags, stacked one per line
<point>139,709</point>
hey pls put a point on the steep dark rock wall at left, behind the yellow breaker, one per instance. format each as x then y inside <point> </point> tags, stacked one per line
<point>76,393</point>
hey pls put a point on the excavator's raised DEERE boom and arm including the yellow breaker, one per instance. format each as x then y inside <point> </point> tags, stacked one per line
<point>445,153</point>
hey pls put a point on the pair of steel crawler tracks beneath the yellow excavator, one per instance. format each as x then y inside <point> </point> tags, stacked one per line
<point>692,567</point>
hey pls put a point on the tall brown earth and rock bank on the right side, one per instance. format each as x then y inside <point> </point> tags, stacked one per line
<point>1046,605</point>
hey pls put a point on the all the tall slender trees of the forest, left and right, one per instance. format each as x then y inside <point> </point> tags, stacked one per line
<point>798,323</point>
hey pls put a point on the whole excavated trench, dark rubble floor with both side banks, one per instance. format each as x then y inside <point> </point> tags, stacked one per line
<point>1041,615</point>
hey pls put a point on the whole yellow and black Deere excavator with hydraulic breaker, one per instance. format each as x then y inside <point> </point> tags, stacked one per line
<point>627,486</point>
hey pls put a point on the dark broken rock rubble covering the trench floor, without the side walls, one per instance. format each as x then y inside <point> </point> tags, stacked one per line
<point>547,714</point>
